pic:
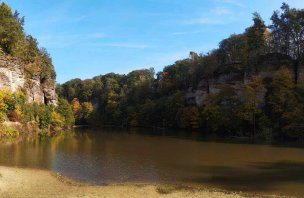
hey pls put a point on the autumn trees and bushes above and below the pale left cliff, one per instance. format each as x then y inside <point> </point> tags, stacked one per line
<point>15,44</point>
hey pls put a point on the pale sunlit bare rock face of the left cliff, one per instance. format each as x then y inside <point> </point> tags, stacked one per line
<point>12,77</point>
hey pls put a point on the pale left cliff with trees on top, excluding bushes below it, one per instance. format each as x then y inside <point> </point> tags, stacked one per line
<point>23,64</point>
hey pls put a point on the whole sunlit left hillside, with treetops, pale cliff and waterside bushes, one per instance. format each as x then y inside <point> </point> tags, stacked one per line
<point>28,102</point>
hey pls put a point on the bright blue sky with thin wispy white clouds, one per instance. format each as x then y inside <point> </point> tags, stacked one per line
<point>87,38</point>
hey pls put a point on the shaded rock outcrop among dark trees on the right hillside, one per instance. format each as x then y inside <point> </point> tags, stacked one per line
<point>238,80</point>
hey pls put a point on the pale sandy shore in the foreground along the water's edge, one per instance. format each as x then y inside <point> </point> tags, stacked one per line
<point>22,182</point>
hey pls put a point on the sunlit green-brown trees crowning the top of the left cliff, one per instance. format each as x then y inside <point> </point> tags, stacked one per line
<point>16,43</point>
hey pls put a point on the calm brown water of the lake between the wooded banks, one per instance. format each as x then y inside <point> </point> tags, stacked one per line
<point>111,156</point>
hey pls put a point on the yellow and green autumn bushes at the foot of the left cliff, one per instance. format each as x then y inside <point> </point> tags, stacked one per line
<point>31,117</point>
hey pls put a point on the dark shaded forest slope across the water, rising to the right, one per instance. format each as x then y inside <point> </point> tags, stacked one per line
<point>266,107</point>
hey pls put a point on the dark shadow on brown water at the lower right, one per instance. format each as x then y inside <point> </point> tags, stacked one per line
<point>257,177</point>
